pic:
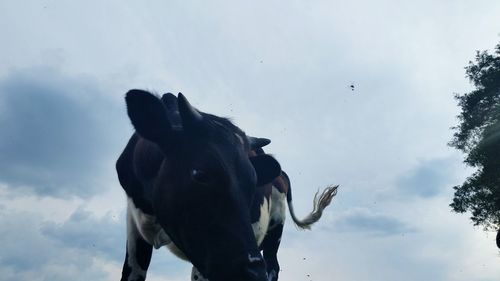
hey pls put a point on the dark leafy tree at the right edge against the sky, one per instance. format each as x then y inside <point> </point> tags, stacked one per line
<point>478,136</point>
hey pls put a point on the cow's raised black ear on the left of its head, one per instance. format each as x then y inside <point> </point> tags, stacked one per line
<point>148,115</point>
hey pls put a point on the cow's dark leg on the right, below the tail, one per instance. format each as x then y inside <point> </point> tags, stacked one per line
<point>270,247</point>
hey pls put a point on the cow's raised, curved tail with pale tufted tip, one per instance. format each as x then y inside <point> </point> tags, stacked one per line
<point>320,202</point>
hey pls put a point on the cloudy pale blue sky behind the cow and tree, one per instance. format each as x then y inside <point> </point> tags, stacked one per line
<point>279,69</point>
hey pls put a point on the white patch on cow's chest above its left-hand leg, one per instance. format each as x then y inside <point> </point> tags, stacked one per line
<point>148,228</point>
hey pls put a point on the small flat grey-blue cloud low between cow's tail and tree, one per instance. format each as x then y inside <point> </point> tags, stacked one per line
<point>364,222</point>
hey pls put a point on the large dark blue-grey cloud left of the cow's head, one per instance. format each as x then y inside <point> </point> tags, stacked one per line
<point>58,132</point>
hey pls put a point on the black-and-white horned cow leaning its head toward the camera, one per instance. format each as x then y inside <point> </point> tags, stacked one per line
<point>197,184</point>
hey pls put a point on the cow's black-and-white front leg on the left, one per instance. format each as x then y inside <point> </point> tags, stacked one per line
<point>138,254</point>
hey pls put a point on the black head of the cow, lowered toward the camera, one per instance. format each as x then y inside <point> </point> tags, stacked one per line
<point>204,188</point>
